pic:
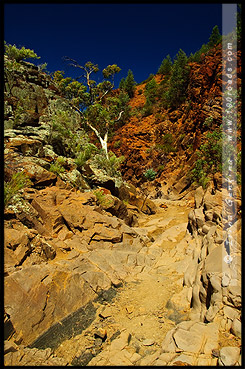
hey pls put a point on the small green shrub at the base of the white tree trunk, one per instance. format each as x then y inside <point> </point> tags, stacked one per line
<point>111,165</point>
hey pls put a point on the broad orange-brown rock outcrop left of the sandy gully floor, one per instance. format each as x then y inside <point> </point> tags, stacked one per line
<point>93,251</point>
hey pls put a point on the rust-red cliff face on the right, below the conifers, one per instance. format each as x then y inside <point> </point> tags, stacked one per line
<point>141,139</point>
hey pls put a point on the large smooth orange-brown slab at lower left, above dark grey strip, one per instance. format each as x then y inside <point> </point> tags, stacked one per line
<point>40,293</point>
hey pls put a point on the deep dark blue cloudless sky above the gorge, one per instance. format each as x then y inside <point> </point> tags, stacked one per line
<point>134,36</point>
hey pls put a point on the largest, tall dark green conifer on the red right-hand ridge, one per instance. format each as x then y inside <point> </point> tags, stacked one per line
<point>178,81</point>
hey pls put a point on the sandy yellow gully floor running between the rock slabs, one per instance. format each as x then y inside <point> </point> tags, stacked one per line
<point>139,307</point>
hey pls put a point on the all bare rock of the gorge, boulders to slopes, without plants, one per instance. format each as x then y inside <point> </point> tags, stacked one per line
<point>77,242</point>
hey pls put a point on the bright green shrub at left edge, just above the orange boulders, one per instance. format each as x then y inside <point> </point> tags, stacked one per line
<point>17,182</point>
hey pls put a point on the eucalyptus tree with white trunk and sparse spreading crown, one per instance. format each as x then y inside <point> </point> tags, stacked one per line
<point>99,110</point>
